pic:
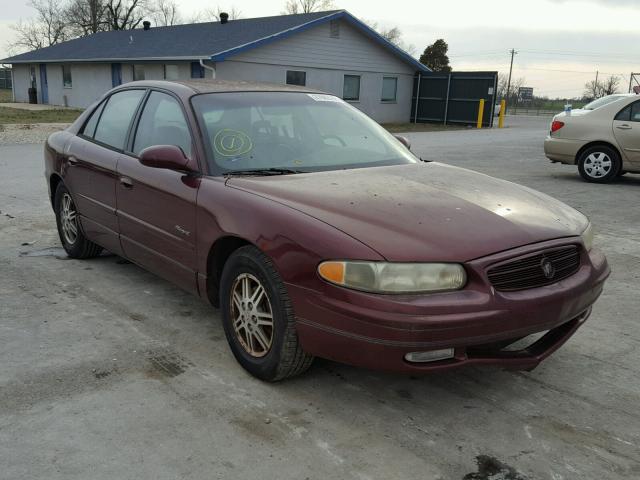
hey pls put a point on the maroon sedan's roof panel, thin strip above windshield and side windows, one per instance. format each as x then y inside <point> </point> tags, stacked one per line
<point>197,86</point>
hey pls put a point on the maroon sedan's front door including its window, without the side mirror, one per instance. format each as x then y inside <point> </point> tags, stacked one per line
<point>157,207</point>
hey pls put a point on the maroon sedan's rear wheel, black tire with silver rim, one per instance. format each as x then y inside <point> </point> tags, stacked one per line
<point>71,235</point>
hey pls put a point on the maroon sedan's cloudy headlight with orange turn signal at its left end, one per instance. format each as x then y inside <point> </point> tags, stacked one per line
<point>382,277</point>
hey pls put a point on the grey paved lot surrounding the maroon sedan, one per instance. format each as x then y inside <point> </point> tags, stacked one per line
<point>110,372</point>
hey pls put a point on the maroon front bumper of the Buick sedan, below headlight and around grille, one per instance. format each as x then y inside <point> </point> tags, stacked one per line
<point>377,331</point>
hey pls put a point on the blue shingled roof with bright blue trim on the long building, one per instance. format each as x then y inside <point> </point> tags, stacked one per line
<point>212,40</point>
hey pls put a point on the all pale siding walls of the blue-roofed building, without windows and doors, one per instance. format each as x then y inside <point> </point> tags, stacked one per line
<point>325,60</point>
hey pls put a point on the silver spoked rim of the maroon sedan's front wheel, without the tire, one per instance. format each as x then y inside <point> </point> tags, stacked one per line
<point>251,315</point>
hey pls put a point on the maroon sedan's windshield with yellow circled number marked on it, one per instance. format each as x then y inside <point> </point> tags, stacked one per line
<point>299,132</point>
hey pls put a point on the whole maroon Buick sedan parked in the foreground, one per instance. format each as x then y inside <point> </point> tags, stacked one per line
<point>318,233</point>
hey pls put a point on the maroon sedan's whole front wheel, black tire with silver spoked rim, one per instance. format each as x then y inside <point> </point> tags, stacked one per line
<point>269,352</point>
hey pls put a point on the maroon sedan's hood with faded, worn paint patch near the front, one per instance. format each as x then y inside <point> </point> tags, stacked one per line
<point>423,212</point>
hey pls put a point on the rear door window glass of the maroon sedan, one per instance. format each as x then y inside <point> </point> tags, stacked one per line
<point>116,118</point>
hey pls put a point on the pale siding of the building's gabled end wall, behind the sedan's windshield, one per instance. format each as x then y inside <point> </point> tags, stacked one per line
<point>326,60</point>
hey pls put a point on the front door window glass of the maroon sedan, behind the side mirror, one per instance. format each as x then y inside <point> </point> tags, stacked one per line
<point>162,123</point>
